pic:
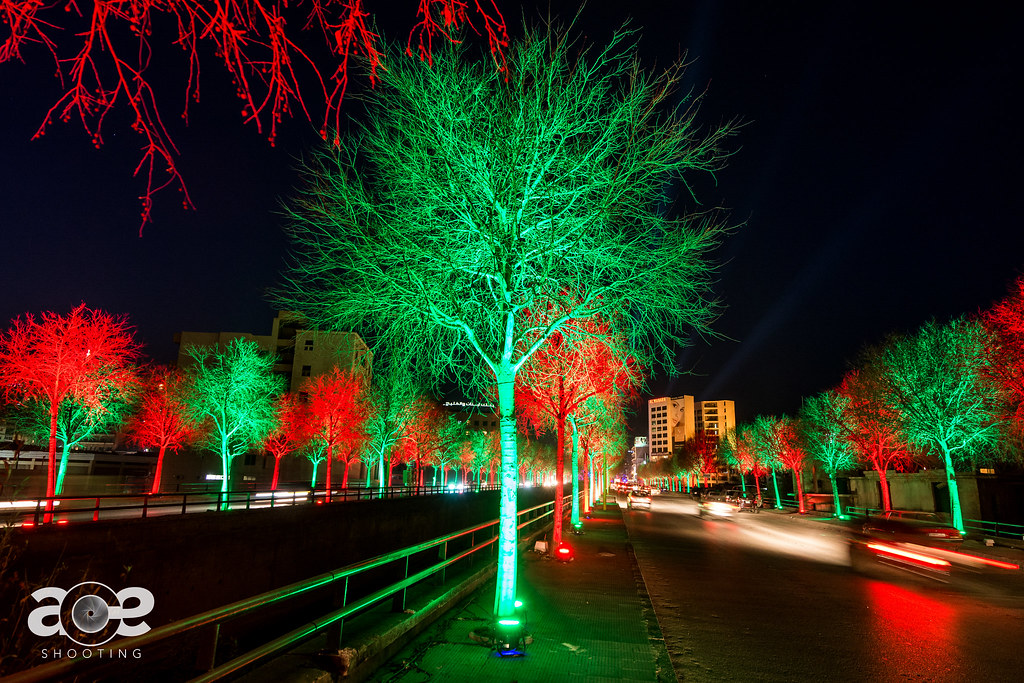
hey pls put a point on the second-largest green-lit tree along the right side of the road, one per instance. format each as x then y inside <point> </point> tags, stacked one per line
<point>823,419</point>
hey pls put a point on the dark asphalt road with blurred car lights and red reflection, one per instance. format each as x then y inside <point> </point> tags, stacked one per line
<point>769,597</point>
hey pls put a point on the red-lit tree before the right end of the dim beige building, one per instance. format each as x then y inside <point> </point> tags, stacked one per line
<point>336,416</point>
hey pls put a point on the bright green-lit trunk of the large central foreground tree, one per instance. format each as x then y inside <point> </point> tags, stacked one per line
<point>505,590</point>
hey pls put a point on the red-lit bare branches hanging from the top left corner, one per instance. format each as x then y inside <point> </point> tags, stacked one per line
<point>284,59</point>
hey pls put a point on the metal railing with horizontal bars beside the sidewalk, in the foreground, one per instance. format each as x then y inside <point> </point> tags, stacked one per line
<point>334,583</point>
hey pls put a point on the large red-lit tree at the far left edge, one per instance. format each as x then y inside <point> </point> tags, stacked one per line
<point>58,359</point>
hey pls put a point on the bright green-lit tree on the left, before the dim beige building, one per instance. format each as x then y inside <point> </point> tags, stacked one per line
<point>233,392</point>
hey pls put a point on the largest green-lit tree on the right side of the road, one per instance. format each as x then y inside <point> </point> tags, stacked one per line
<point>935,381</point>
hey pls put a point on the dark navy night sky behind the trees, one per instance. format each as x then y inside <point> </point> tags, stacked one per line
<point>877,182</point>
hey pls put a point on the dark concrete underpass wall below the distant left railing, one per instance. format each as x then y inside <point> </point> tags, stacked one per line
<point>199,562</point>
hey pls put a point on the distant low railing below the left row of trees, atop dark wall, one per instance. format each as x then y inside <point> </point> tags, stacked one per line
<point>67,509</point>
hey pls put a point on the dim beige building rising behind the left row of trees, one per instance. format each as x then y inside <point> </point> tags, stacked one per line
<point>302,353</point>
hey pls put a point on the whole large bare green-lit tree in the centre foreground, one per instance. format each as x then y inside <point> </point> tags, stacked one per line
<point>466,197</point>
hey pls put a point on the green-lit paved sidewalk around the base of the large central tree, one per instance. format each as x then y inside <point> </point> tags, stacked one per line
<point>589,620</point>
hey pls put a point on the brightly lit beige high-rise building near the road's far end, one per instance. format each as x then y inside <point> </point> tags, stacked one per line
<point>674,420</point>
